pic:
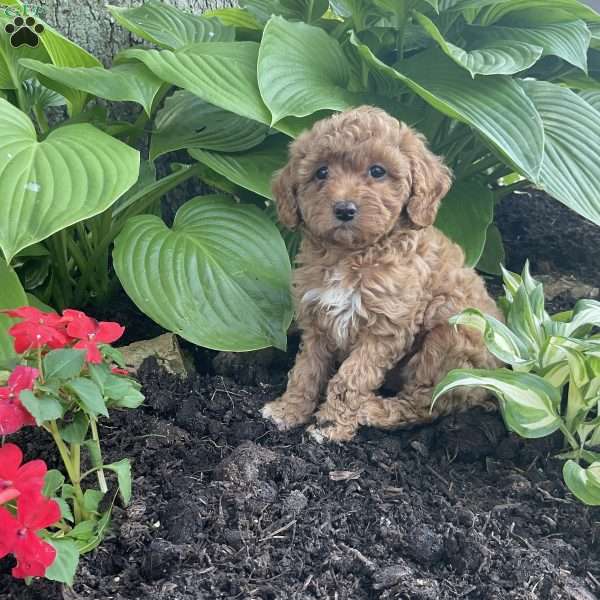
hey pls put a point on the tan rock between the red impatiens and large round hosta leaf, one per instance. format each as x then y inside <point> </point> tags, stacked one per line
<point>165,348</point>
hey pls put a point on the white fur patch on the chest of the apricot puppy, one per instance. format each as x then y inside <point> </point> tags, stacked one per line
<point>342,306</point>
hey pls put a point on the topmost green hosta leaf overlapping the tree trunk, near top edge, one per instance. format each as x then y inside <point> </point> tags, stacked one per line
<point>168,27</point>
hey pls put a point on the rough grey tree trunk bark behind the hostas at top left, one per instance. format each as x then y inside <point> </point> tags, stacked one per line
<point>88,22</point>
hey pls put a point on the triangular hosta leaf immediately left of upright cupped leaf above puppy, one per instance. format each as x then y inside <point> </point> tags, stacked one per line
<point>221,73</point>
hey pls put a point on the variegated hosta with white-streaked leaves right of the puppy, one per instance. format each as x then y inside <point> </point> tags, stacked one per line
<point>553,383</point>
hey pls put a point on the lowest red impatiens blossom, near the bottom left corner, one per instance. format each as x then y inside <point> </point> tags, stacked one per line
<point>18,534</point>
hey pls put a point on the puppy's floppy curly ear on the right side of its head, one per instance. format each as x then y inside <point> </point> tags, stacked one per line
<point>431,179</point>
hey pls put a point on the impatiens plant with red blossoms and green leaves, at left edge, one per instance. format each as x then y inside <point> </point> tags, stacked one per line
<point>66,379</point>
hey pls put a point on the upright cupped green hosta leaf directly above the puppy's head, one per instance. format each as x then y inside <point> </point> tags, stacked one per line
<point>301,70</point>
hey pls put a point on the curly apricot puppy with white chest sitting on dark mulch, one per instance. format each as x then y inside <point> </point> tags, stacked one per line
<point>376,282</point>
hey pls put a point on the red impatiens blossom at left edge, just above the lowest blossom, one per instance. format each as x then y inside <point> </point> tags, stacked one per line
<point>17,478</point>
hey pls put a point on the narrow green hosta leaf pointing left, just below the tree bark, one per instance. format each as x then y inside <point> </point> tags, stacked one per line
<point>127,82</point>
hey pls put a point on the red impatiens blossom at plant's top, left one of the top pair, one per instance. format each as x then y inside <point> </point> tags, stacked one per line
<point>37,329</point>
